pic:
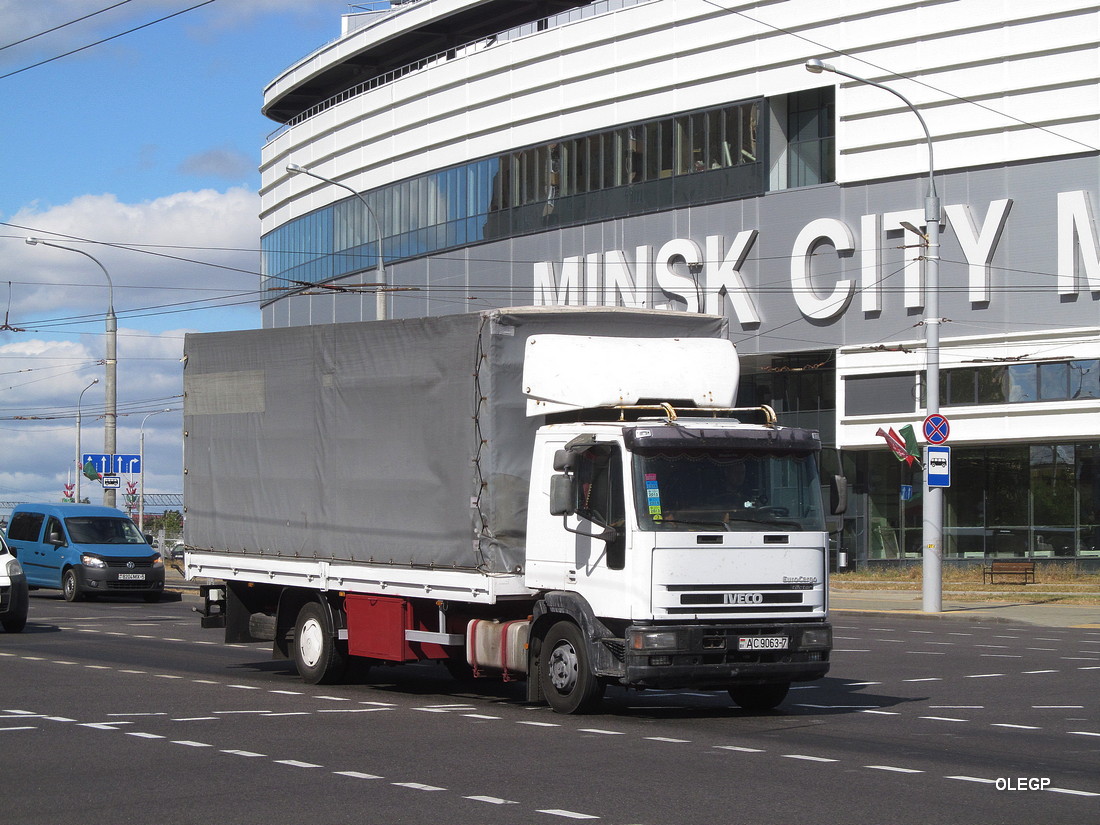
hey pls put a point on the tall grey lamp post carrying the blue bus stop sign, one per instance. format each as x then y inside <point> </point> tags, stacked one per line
<point>933,530</point>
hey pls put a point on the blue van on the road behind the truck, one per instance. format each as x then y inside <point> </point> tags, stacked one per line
<point>84,551</point>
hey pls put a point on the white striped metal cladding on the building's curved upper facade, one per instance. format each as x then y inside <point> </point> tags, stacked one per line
<point>1015,63</point>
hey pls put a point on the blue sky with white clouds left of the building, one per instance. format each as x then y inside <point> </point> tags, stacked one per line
<point>142,152</point>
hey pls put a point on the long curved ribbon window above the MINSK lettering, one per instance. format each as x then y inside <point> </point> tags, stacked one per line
<point>699,158</point>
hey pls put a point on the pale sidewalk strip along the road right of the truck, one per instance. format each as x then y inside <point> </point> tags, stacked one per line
<point>1031,610</point>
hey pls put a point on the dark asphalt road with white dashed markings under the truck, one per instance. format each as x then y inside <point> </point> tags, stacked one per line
<point>119,712</point>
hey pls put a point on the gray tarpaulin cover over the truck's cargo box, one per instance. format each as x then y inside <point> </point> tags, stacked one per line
<point>395,443</point>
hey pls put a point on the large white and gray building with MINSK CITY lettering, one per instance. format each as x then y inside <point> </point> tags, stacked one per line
<point>678,155</point>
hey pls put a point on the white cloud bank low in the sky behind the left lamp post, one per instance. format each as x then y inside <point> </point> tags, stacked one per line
<point>60,299</point>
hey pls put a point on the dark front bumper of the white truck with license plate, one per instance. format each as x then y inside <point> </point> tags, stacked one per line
<point>720,657</point>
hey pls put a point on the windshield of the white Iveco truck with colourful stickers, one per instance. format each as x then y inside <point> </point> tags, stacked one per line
<point>690,490</point>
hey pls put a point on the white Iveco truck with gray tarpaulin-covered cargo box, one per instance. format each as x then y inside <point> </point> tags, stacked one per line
<point>564,497</point>
